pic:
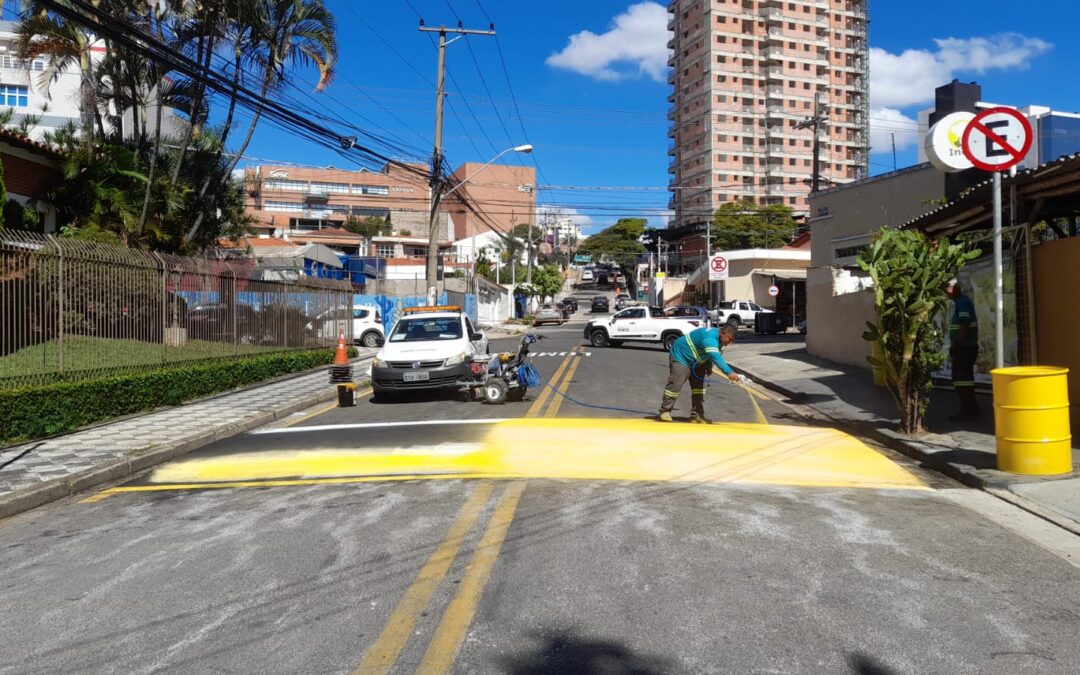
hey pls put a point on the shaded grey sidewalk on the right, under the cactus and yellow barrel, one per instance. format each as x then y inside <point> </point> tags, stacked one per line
<point>964,451</point>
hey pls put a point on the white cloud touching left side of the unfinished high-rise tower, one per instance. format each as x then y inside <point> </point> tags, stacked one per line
<point>636,46</point>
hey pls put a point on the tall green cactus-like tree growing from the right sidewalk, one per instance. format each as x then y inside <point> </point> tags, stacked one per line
<point>910,274</point>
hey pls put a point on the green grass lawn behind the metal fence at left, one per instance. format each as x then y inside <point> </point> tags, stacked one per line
<point>85,357</point>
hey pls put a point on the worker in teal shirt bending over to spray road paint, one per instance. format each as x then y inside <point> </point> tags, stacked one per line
<point>693,358</point>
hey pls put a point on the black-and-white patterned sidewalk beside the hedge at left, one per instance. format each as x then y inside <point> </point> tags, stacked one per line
<point>36,474</point>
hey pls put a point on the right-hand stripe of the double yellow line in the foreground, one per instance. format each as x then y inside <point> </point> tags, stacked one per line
<point>451,633</point>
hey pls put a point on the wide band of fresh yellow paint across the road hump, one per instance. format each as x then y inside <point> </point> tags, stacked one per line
<point>623,450</point>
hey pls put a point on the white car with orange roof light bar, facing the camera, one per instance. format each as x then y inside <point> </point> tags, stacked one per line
<point>428,348</point>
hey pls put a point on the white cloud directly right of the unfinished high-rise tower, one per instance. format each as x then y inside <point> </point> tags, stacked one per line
<point>910,78</point>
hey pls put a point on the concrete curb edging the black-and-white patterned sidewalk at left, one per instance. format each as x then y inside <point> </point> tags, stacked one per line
<point>139,461</point>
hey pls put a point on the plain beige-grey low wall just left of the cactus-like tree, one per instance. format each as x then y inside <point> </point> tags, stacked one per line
<point>835,323</point>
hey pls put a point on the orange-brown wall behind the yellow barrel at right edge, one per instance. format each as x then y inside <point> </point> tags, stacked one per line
<point>1057,272</point>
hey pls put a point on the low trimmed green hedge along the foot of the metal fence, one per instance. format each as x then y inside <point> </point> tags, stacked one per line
<point>36,412</point>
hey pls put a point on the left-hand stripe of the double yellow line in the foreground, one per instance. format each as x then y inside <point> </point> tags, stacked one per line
<point>386,650</point>
